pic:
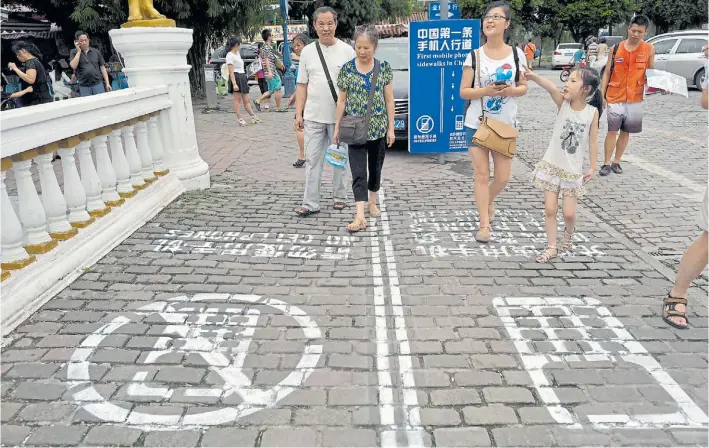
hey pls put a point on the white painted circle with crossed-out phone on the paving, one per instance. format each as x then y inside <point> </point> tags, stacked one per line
<point>226,361</point>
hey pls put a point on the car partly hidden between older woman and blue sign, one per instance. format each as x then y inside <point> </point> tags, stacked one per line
<point>395,51</point>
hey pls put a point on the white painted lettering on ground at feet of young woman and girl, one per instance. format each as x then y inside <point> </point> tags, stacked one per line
<point>446,233</point>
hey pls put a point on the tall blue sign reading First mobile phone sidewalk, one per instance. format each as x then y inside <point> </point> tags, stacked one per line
<point>437,50</point>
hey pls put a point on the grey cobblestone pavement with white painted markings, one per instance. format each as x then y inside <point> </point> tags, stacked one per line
<point>227,321</point>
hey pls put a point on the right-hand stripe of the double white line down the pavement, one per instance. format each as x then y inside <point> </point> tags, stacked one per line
<point>414,430</point>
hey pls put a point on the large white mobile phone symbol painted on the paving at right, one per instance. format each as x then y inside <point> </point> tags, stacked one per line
<point>573,339</point>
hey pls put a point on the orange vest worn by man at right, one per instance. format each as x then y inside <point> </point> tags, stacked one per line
<point>627,83</point>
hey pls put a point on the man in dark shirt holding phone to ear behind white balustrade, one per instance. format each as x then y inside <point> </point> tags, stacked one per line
<point>89,67</point>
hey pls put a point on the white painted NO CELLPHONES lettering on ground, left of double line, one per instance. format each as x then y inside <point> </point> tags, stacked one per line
<point>263,245</point>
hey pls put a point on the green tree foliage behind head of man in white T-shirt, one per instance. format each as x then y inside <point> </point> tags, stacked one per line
<point>350,13</point>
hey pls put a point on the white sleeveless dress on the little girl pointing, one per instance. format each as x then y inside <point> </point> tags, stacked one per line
<point>561,168</point>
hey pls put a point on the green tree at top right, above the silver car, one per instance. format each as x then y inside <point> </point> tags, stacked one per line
<point>669,15</point>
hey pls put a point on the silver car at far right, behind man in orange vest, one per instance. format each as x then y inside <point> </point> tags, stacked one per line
<point>680,52</point>
